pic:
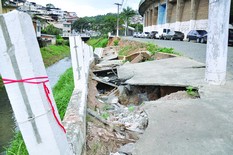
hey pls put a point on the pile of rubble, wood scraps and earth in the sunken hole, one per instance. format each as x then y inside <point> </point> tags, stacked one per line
<point>115,115</point>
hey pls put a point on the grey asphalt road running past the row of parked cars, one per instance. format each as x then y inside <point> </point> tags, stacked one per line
<point>192,50</point>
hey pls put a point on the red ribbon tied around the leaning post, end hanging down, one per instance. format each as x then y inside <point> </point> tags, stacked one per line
<point>43,80</point>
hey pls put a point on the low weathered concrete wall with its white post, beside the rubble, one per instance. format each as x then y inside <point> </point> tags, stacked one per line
<point>75,117</point>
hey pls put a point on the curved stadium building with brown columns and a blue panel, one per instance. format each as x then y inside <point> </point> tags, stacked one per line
<point>179,15</point>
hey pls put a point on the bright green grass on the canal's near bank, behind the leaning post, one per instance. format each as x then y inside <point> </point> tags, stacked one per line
<point>62,92</point>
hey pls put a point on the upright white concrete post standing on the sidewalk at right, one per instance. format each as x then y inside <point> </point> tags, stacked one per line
<point>216,54</point>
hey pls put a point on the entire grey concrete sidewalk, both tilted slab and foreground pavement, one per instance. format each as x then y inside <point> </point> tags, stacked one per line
<point>195,126</point>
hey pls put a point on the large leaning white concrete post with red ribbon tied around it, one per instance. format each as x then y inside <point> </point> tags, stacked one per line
<point>20,58</point>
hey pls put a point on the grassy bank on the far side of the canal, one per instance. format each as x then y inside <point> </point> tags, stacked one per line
<point>51,54</point>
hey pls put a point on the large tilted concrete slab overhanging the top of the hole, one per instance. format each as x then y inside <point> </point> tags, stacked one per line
<point>178,71</point>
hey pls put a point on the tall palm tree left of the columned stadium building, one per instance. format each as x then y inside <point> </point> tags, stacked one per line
<point>126,14</point>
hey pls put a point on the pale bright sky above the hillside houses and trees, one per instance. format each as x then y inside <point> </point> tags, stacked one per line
<point>89,7</point>
